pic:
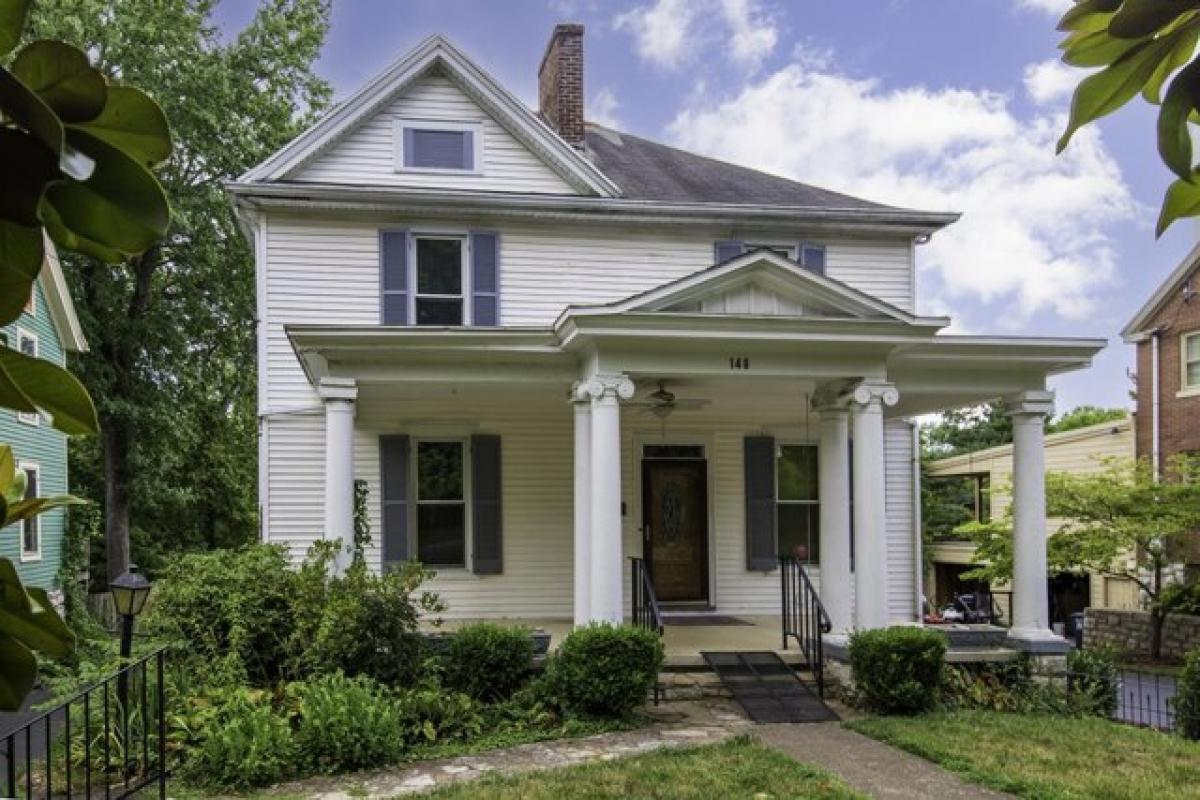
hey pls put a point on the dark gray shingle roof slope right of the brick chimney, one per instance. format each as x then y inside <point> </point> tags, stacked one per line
<point>649,171</point>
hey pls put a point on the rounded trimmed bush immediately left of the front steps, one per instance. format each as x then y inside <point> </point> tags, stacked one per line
<point>604,671</point>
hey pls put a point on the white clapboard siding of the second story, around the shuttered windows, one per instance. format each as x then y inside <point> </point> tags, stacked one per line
<point>327,272</point>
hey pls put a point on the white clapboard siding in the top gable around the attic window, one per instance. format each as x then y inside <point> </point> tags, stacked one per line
<point>368,155</point>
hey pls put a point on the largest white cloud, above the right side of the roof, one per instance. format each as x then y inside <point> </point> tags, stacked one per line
<point>1035,230</point>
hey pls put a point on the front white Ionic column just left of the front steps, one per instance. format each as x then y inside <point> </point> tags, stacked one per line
<point>608,572</point>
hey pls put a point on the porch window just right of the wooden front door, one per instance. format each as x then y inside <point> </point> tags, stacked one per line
<point>797,502</point>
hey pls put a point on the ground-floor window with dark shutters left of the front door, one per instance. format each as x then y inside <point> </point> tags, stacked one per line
<point>442,503</point>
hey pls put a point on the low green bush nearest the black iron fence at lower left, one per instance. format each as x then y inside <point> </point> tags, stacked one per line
<point>244,743</point>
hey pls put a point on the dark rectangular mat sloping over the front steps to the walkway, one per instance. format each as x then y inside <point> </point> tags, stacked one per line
<point>767,689</point>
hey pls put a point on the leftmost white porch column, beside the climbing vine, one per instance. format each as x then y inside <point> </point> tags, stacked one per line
<point>339,395</point>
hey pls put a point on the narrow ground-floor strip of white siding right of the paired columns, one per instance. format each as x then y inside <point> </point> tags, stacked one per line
<point>902,549</point>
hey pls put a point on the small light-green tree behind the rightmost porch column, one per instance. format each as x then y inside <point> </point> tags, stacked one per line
<point>1121,524</point>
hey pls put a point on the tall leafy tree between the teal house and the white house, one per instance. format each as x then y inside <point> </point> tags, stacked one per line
<point>173,336</point>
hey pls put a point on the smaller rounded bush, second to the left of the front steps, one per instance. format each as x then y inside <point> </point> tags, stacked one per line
<point>489,663</point>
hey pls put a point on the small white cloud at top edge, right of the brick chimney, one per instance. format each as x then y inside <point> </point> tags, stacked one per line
<point>675,33</point>
